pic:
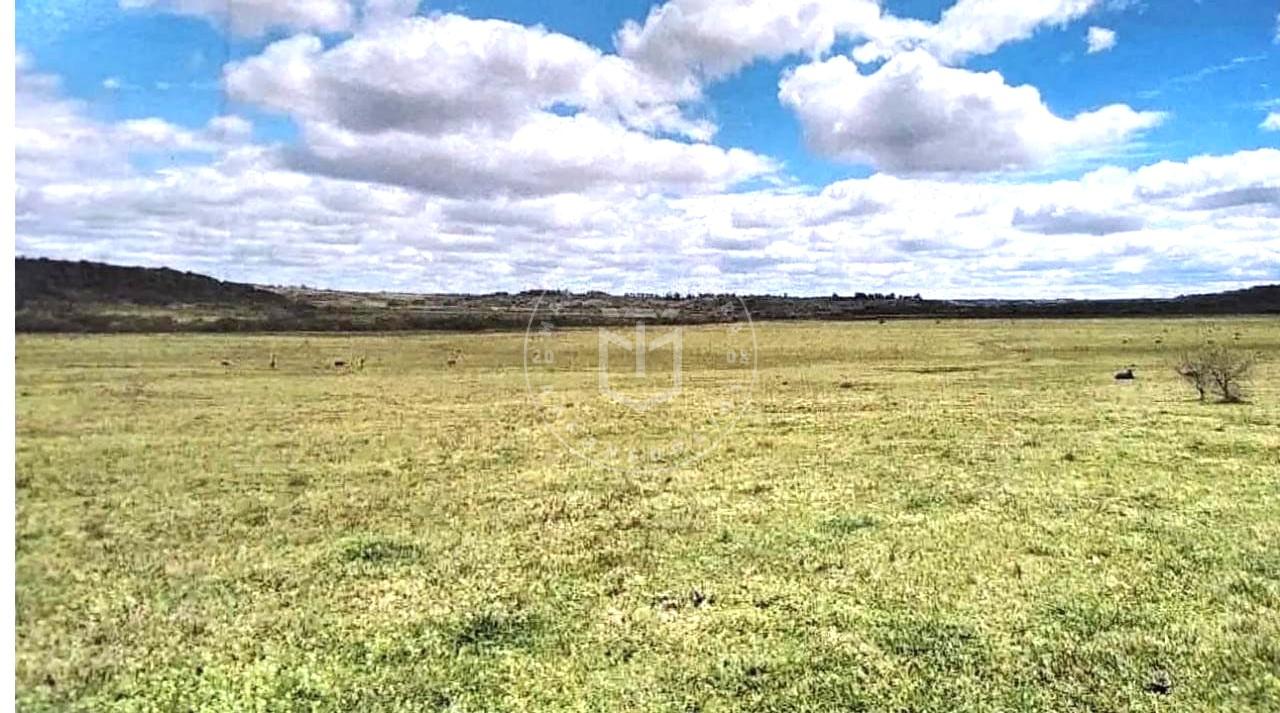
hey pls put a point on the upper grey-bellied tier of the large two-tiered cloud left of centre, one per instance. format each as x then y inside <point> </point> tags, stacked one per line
<point>451,72</point>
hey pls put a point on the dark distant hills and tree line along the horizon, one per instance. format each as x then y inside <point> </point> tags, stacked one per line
<point>67,296</point>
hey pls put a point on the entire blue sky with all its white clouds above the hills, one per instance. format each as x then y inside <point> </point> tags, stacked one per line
<point>706,115</point>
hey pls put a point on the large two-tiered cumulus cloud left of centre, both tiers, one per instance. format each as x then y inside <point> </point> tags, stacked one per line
<point>467,108</point>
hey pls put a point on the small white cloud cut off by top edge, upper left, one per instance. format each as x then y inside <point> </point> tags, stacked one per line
<point>254,19</point>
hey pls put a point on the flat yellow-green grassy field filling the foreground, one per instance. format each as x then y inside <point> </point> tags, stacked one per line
<point>911,517</point>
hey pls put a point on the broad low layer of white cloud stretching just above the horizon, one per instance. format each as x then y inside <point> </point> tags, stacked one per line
<point>246,217</point>
